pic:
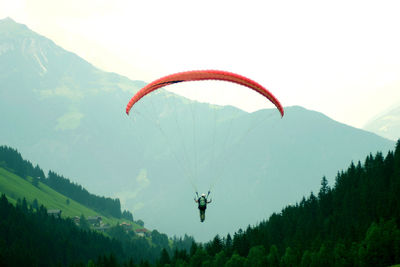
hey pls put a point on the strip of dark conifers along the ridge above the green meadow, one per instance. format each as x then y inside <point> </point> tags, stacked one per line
<point>13,161</point>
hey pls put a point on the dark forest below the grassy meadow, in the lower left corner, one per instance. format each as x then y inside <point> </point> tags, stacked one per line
<point>31,237</point>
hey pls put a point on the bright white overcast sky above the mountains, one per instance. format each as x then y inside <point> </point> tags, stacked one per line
<point>341,58</point>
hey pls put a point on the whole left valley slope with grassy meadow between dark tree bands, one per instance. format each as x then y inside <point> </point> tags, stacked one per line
<point>30,236</point>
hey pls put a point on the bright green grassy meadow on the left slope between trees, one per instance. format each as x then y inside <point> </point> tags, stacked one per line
<point>14,187</point>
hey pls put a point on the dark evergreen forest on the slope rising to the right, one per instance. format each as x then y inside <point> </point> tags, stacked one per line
<point>354,223</point>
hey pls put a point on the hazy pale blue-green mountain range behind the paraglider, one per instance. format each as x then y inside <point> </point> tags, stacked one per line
<point>68,116</point>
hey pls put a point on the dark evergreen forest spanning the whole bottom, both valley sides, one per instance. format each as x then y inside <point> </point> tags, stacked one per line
<point>355,222</point>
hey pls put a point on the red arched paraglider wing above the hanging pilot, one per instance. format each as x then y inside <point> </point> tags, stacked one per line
<point>198,75</point>
